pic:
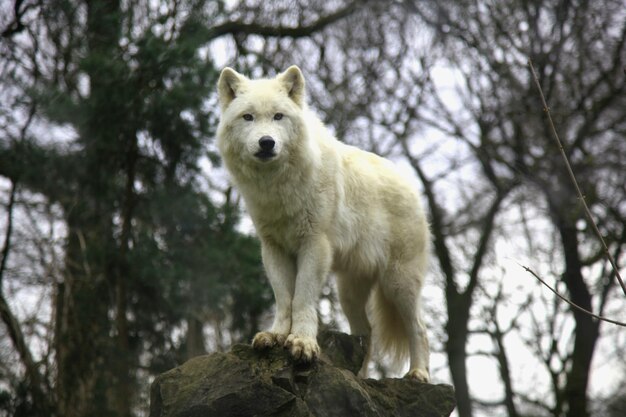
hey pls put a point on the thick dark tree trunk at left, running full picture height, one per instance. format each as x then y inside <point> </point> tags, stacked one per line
<point>92,364</point>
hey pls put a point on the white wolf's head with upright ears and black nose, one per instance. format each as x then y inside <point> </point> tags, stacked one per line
<point>261,119</point>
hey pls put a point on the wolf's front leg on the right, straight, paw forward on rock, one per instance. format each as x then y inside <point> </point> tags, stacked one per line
<point>313,265</point>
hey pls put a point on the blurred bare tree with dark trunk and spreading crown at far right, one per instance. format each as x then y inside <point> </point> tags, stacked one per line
<point>580,50</point>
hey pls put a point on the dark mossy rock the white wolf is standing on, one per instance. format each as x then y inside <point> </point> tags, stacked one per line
<point>245,382</point>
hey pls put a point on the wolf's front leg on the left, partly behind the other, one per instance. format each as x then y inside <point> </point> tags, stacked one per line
<point>281,271</point>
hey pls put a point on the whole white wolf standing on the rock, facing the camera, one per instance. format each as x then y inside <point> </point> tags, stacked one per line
<point>319,205</point>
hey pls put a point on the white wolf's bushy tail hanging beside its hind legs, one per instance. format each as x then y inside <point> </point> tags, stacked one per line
<point>389,333</point>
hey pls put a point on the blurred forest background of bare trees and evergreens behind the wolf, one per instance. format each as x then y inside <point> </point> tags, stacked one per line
<point>124,251</point>
